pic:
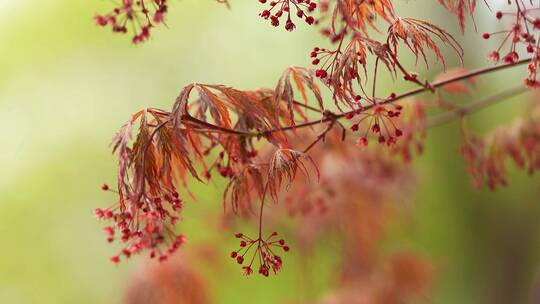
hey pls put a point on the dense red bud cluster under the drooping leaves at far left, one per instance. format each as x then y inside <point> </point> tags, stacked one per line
<point>147,224</point>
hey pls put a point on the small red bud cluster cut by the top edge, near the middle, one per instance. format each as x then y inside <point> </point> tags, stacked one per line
<point>278,8</point>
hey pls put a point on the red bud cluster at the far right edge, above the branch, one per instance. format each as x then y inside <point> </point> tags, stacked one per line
<point>523,34</point>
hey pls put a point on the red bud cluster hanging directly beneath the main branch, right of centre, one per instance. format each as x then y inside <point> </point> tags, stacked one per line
<point>380,122</point>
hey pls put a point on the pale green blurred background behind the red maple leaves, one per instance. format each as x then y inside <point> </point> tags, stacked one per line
<point>66,86</point>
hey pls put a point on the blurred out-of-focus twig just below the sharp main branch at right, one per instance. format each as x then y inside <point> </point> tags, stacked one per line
<point>474,106</point>
